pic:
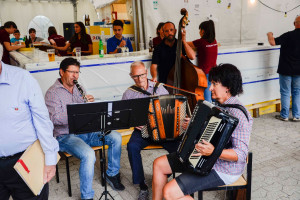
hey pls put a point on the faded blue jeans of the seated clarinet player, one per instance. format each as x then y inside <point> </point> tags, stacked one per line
<point>80,147</point>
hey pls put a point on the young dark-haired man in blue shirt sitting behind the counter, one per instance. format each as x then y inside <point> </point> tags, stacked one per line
<point>115,43</point>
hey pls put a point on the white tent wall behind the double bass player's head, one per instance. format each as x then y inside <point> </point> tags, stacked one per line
<point>242,23</point>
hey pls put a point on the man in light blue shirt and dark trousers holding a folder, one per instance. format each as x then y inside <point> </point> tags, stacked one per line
<point>24,118</point>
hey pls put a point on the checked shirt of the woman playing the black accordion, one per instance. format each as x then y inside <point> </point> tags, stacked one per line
<point>240,142</point>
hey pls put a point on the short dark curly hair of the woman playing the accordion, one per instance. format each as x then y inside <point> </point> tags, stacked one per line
<point>229,76</point>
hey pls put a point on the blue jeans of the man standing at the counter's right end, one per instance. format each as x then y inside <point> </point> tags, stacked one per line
<point>289,85</point>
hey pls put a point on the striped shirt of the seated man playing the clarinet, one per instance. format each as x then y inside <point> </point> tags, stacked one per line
<point>57,97</point>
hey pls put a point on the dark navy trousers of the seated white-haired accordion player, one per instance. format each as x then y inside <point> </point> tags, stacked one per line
<point>134,147</point>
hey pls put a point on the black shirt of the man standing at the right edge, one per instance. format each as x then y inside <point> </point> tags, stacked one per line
<point>289,60</point>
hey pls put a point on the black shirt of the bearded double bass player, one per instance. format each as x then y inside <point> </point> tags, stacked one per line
<point>164,56</point>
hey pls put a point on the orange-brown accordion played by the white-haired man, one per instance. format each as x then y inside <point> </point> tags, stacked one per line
<point>165,118</point>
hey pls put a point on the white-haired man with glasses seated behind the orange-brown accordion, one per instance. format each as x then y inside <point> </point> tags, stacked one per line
<point>142,88</point>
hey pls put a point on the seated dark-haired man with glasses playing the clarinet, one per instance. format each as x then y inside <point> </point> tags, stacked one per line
<point>61,93</point>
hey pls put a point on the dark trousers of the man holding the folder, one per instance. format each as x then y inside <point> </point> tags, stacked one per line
<point>11,184</point>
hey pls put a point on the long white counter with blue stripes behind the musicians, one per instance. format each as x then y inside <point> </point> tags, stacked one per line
<point>107,78</point>
